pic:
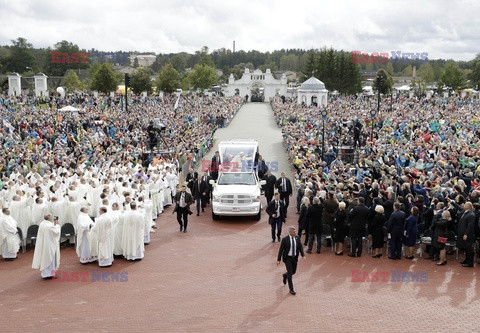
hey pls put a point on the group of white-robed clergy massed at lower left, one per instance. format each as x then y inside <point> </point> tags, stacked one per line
<point>112,212</point>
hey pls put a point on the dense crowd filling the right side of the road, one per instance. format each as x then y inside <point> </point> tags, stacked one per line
<point>414,176</point>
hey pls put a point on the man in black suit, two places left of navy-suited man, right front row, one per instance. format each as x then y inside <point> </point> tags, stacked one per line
<point>358,224</point>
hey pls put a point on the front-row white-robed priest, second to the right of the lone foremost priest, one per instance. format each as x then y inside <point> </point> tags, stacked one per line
<point>105,235</point>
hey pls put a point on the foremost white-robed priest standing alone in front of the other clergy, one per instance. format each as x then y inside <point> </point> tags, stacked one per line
<point>46,257</point>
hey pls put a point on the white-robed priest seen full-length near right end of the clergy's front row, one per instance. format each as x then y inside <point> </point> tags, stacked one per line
<point>133,234</point>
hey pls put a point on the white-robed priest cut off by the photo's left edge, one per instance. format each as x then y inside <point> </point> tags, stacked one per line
<point>9,238</point>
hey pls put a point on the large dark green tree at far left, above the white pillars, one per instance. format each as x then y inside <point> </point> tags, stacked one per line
<point>21,58</point>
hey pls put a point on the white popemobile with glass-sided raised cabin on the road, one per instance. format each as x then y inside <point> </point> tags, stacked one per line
<point>237,190</point>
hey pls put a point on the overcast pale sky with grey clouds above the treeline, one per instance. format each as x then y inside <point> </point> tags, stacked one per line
<point>442,28</point>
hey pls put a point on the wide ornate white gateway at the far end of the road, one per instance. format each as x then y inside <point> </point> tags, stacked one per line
<point>257,83</point>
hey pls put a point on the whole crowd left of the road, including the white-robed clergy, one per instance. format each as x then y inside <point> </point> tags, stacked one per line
<point>95,170</point>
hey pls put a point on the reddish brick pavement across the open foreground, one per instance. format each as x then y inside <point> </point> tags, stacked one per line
<point>221,276</point>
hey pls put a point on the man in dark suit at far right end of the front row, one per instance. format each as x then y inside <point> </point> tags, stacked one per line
<point>466,231</point>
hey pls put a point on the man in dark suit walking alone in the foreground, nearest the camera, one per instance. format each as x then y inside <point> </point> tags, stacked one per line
<point>289,249</point>
